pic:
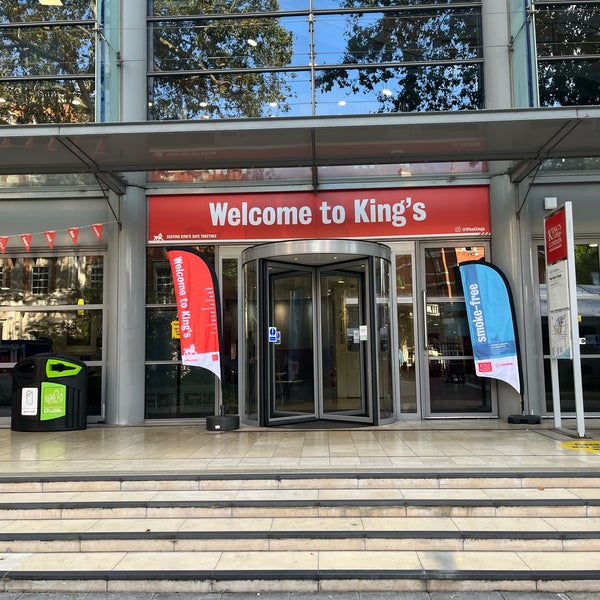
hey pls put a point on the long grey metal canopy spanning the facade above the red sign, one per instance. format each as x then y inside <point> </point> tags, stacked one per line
<point>524,137</point>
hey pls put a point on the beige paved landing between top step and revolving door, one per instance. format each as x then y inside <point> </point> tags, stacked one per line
<point>416,446</point>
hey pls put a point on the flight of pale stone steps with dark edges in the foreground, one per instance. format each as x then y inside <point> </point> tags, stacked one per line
<point>301,533</point>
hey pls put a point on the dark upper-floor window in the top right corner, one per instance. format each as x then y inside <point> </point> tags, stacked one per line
<point>568,52</point>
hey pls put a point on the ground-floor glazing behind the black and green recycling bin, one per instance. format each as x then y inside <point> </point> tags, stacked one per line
<point>52,304</point>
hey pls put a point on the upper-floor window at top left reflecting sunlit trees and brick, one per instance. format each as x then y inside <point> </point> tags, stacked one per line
<point>47,61</point>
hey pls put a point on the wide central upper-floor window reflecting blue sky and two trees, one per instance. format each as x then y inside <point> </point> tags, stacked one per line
<point>260,58</point>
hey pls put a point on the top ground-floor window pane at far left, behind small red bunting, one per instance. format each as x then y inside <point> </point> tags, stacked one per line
<point>51,281</point>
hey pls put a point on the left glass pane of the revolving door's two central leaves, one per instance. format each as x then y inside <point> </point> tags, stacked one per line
<point>293,389</point>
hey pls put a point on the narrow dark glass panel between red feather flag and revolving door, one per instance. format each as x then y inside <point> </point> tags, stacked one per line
<point>229,354</point>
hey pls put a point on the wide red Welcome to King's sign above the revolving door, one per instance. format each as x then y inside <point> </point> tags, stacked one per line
<point>361,214</point>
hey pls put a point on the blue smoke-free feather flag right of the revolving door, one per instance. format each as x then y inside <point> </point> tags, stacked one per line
<point>491,322</point>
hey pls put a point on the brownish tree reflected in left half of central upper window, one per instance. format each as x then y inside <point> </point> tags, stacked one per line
<point>201,65</point>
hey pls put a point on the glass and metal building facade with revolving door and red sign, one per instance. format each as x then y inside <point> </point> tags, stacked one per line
<point>335,160</point>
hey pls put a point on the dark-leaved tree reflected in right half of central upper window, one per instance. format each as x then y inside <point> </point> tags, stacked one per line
<point>422,57</point>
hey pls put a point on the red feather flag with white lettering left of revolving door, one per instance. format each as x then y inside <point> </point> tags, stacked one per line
<point>197,297</point>
